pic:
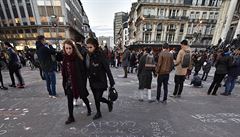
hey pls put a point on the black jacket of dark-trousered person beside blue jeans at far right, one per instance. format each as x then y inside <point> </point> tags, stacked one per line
<point>222,65</point>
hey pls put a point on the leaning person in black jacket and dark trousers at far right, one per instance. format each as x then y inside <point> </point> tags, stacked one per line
<point>222,65</point>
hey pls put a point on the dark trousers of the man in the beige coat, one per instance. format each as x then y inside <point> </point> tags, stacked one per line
<point>179,81</point>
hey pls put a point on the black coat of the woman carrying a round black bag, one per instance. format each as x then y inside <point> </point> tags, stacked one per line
<point>98,70</point>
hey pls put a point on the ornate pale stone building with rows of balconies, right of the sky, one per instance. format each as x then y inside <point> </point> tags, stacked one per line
<point>159,21</point>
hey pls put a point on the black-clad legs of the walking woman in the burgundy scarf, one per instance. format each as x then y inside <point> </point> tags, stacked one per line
<point>70,104</point>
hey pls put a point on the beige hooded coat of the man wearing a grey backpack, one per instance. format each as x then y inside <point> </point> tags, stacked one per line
<point>179,70</point>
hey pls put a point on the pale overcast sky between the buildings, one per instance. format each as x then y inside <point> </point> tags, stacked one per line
<point>101,14</point>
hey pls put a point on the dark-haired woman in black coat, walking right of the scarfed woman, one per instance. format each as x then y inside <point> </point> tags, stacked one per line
<point>98,69</point>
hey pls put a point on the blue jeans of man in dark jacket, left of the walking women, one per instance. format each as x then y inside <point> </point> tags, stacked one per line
<point>51,82</point>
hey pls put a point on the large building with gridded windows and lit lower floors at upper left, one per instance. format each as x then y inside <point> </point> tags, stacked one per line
<point>22,21</point>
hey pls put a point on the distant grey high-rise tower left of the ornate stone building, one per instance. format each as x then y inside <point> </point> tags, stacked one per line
<point>119,19</point>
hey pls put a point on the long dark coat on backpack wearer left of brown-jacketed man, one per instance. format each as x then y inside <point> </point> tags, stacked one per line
<point>144,75</point>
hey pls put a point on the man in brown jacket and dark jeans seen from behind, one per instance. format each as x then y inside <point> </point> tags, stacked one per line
<point>164,67</point>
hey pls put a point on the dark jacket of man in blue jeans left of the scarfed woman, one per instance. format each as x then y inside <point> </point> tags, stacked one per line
<point>45,58</point>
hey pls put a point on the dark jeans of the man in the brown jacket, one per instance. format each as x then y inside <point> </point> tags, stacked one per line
<point>162,79</point>
